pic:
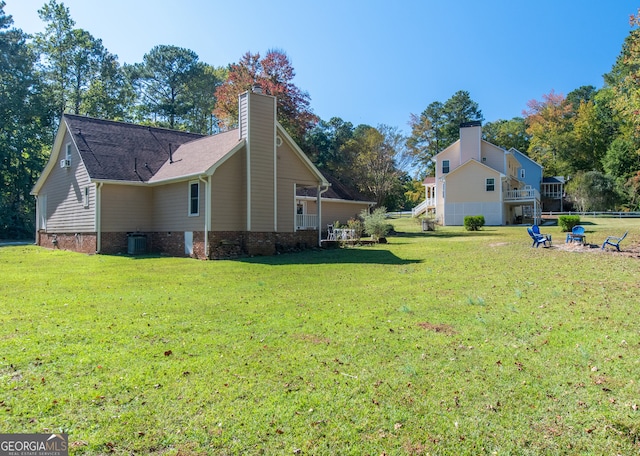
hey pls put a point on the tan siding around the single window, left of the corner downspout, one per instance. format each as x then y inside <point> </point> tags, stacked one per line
<point>171,208</point>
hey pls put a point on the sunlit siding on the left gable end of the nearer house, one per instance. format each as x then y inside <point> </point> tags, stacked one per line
<point>64,190</point>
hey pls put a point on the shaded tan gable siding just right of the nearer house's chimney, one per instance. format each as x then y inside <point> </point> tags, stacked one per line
<point>291,171</point>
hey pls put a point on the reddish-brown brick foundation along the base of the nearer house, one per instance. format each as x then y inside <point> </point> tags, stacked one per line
<point>222,244</point>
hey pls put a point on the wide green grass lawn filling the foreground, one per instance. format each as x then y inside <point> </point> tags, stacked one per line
<point>446,342</point>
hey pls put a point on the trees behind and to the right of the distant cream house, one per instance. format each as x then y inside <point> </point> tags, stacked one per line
<point>590,136</point>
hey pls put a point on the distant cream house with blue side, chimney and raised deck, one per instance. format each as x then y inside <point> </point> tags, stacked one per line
<point>475,177</point>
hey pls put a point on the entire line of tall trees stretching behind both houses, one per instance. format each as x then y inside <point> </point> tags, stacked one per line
<point>591,135</point>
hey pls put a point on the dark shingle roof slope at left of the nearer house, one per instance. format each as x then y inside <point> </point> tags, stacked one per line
<point>122,151</point>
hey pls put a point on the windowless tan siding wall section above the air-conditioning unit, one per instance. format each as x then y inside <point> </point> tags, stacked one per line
<point>126,208</point>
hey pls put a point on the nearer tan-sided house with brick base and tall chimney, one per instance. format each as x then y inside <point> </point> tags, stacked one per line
<point>112,187</point>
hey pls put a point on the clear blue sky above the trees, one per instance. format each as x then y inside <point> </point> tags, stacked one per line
<point>377,62</point>
